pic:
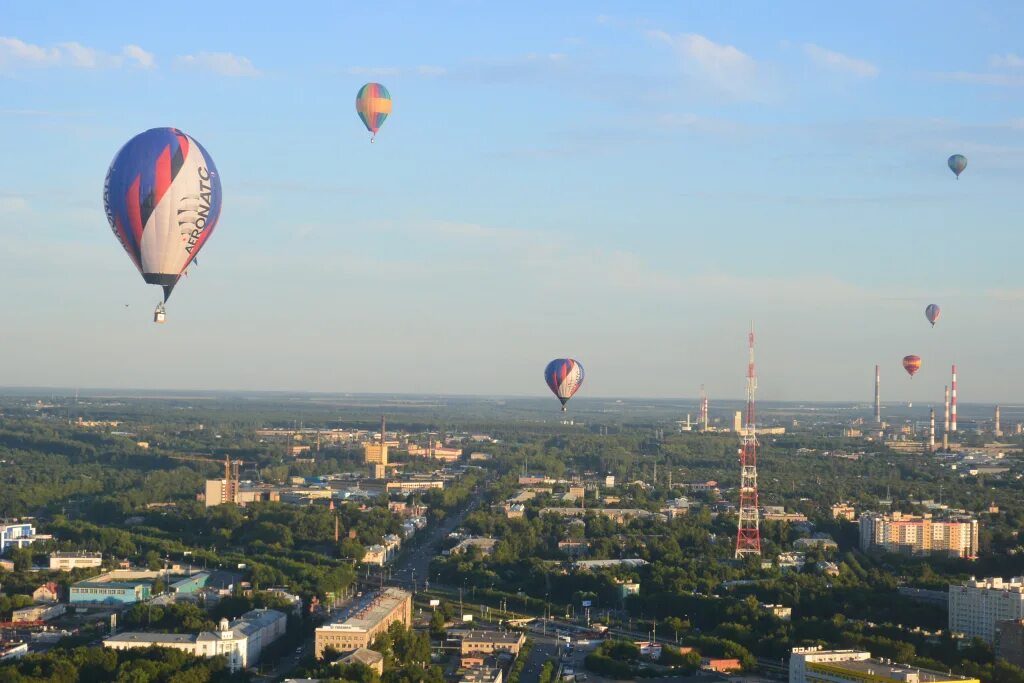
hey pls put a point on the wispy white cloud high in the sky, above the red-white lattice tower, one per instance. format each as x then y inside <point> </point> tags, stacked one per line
<point>724,68</point>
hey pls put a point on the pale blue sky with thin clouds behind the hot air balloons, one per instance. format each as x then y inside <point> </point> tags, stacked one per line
<point>628,184</point>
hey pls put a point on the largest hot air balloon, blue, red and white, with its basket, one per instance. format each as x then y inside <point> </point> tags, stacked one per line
<point>162,197</point>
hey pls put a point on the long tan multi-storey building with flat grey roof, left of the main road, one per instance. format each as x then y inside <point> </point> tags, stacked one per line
<point>360,625</point>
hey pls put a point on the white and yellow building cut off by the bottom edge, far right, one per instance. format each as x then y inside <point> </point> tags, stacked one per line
<point>815,665</point>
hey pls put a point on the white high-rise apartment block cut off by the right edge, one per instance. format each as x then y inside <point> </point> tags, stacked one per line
<point>976,607</point>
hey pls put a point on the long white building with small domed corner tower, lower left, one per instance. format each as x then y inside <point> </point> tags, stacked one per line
<point>242,642</point>
